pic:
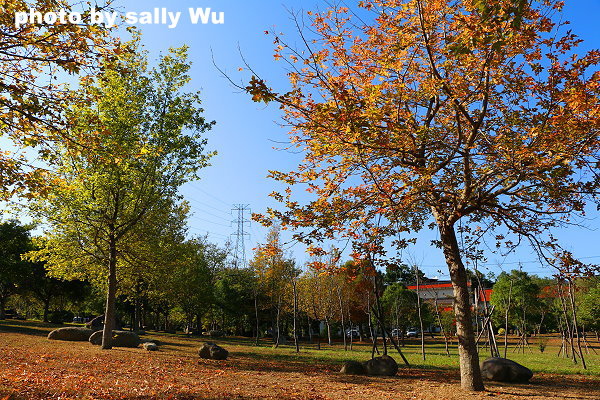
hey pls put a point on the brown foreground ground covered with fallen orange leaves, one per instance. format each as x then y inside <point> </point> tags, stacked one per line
<point>33,368</point>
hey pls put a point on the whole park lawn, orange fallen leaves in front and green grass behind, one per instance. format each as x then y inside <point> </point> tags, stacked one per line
<point>32,367</point>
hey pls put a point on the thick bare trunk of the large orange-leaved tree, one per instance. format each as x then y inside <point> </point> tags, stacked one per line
<point>470,374</point>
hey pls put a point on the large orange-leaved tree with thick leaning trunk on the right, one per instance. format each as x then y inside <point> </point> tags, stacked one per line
<point>439,113</point>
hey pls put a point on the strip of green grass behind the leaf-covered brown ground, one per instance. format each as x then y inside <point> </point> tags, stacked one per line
<point>547,362</point>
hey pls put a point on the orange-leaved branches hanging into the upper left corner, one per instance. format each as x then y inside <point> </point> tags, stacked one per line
<point>32,57</point>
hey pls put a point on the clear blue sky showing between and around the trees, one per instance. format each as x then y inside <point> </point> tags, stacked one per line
<point>245,132</point>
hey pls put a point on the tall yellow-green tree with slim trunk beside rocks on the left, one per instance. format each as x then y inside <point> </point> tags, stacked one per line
<point>145,141</point>
